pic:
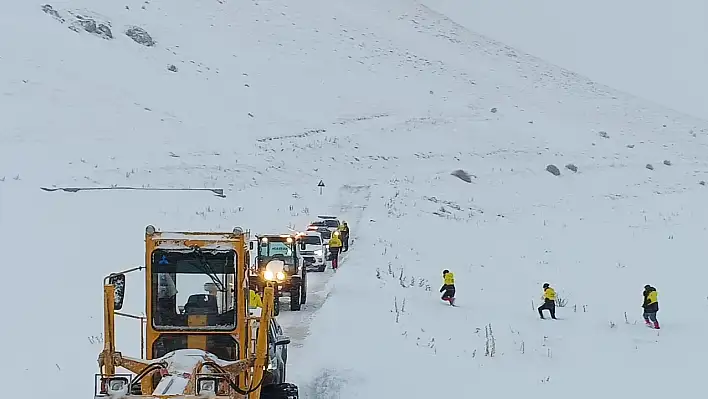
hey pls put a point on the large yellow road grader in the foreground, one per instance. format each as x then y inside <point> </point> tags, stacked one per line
<point>197,344</point>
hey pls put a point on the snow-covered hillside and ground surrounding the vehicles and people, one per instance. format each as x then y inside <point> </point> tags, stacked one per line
<point>382,101</point>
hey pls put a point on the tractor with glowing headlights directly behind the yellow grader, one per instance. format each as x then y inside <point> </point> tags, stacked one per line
<point>278,262</point>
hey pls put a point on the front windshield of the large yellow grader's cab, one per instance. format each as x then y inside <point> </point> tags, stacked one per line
<point>193,289</point>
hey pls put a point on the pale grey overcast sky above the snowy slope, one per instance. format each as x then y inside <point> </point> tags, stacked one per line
<point>653,49</point>
